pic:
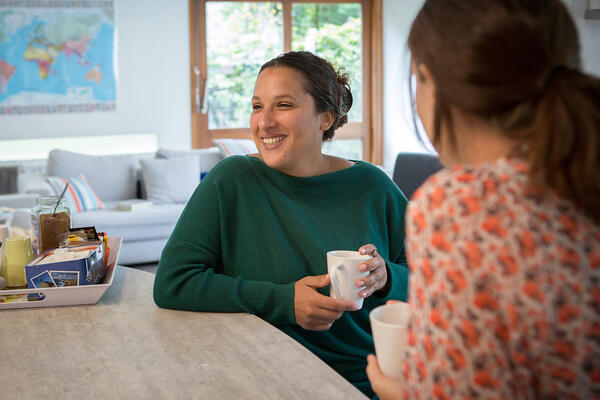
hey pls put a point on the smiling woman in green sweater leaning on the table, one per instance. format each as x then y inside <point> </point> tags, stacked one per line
<point>254,236</point>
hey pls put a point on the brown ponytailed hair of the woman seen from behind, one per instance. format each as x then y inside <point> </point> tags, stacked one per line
<point>515,64</point>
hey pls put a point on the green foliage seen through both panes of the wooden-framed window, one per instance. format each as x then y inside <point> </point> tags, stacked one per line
<point>241,36</point>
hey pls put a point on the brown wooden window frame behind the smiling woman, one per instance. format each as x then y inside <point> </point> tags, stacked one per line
<point>370,130</point>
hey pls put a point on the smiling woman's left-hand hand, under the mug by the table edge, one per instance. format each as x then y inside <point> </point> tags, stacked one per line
<point>314,311</point>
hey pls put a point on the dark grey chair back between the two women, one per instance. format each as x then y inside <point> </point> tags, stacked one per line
<point>412,169</point>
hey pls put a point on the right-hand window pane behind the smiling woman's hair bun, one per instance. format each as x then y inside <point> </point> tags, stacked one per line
<point>334,32</point>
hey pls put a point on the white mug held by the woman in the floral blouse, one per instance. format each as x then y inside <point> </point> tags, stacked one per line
<point>389,324</point>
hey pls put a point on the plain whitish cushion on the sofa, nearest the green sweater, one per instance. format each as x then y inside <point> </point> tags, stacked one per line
<point>171,180</point>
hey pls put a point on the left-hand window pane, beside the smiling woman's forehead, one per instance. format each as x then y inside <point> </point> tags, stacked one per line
<point>241,36</point>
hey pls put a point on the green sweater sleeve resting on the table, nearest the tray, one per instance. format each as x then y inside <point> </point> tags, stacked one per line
<point>189,274</point>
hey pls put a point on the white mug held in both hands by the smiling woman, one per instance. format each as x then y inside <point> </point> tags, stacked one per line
<point>342,266</point>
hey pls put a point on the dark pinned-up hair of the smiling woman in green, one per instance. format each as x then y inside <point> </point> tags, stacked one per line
<point>329,88</point>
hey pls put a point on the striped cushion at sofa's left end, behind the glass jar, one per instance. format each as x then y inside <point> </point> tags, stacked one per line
<point>79,196</point>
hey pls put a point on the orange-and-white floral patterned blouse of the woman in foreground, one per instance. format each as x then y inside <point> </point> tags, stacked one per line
<point>504,287</point>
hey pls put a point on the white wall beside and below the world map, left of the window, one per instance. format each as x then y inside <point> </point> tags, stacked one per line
<point>152,83</point>
